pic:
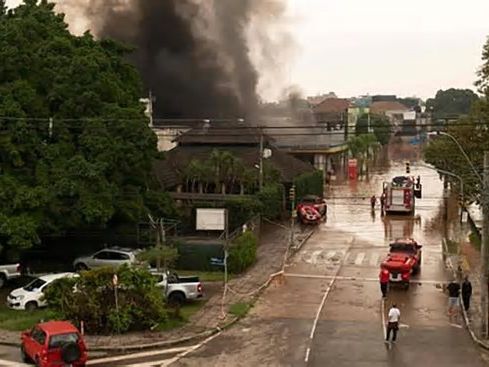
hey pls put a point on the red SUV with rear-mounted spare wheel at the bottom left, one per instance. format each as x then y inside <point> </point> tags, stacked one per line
<point>54,344</point>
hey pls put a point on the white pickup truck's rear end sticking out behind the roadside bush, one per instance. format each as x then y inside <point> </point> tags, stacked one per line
<point>178,289</point>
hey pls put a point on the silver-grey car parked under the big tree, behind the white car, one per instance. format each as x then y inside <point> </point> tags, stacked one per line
<point>112,256</point>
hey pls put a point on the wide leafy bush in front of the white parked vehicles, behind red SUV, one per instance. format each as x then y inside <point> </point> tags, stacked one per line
<point>91,299</point>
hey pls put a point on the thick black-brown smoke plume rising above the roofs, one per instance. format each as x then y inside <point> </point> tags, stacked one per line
<point>193,55</point>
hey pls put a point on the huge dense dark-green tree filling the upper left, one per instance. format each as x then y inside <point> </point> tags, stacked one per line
<point>75,147</point>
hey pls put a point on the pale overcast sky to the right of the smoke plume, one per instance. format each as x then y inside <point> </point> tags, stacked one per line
<point>407,48</point>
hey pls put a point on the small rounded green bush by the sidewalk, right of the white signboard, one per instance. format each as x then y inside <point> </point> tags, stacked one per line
<point>242,252</point>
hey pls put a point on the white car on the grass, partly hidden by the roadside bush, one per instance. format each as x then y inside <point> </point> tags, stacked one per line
<point>31,296</point>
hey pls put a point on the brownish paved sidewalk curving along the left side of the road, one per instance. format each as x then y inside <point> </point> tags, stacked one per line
<point>208,320</point>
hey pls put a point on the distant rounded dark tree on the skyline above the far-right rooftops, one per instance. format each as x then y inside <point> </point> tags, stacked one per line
<point>451,102</point>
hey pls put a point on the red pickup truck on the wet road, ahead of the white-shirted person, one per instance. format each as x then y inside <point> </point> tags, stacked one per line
<point>403,260</point>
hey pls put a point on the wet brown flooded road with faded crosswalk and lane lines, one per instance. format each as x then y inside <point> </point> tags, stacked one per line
<point>297,324</point>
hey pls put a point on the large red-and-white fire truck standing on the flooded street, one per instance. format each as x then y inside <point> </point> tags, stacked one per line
<point>400,195</point>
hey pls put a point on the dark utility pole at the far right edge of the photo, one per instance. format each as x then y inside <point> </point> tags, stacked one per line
<point>485,246</point>
